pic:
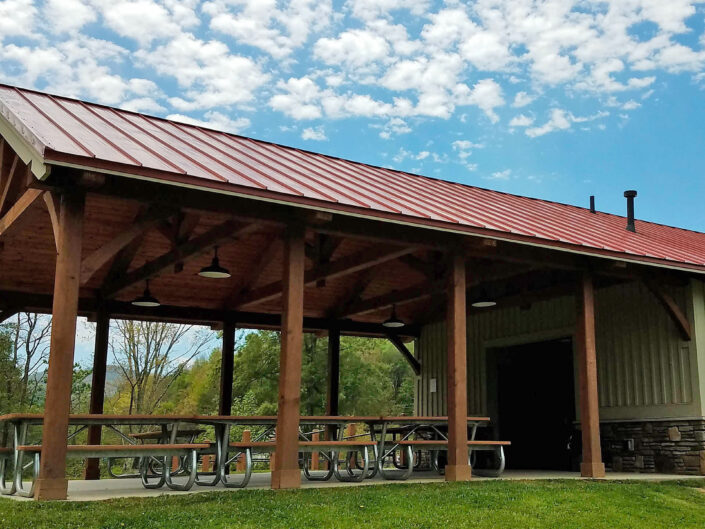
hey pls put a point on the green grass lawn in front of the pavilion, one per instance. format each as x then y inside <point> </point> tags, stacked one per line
<point>489,504</point>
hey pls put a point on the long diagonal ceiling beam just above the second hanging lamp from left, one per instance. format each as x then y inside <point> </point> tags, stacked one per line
<point>189,250</point>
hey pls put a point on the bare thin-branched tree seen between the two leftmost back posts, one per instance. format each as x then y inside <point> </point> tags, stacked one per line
<point>151,356</point>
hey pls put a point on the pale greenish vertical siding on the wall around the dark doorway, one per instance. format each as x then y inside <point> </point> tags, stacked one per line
<point>644,368</point>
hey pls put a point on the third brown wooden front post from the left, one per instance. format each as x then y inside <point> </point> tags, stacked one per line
<point>457,468</point>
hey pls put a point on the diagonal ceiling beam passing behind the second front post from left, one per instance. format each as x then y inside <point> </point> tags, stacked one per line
<point>347,265</point>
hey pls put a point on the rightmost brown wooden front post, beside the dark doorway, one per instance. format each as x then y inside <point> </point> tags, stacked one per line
<point>592,465</point>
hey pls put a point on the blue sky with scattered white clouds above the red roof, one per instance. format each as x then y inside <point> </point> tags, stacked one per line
<point>556,99</point>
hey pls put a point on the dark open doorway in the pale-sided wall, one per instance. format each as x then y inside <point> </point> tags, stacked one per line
<point>535,404</point>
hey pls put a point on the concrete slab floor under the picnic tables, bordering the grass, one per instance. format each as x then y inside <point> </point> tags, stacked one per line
<point>125,488</point>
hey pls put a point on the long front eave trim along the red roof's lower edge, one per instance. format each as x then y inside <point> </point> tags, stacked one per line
<point>188,182</point>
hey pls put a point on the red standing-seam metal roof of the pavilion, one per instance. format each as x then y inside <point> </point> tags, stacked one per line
<point>68,131</point>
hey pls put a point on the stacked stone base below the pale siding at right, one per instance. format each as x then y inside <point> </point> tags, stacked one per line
<point>671,447</point>
